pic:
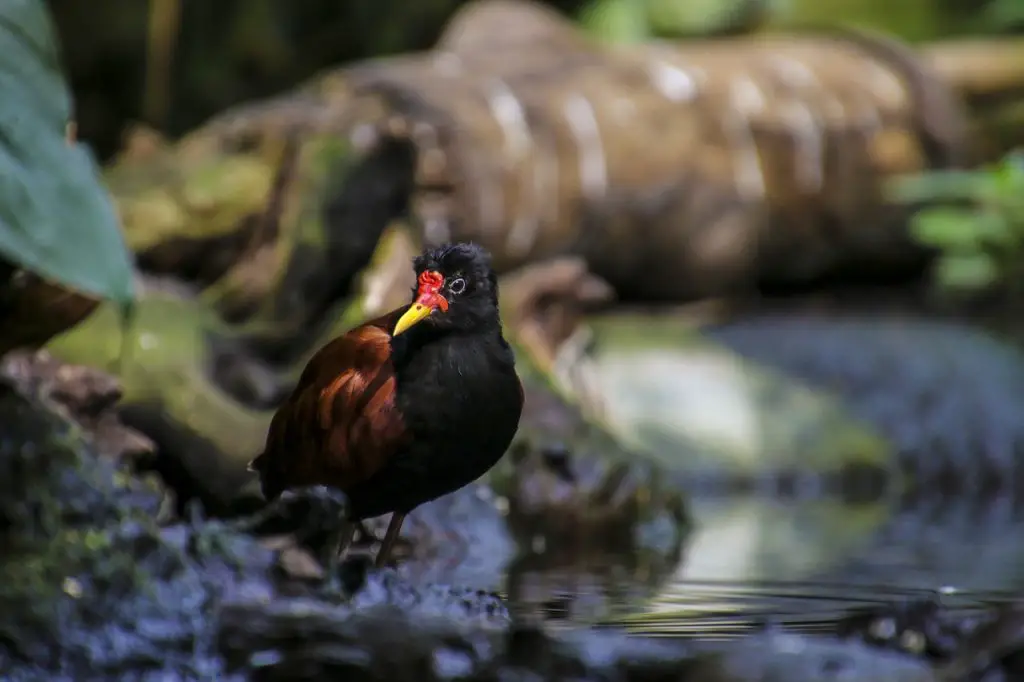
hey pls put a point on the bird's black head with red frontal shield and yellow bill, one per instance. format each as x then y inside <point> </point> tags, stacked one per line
<point>456,290</point>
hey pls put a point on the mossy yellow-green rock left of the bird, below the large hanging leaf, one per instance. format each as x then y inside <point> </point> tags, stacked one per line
<point>203,437</point>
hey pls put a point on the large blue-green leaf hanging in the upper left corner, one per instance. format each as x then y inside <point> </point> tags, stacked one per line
<point>56,218</point>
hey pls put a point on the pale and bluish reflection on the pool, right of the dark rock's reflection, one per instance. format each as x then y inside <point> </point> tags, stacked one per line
<point>802,564</point>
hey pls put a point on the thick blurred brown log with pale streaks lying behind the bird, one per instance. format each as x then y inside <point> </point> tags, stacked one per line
<point>676,172</point>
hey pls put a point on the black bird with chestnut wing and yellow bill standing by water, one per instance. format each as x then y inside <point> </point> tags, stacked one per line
<point>406,408</point>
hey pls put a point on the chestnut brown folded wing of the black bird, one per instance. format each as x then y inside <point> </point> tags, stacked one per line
<point>340,424</point>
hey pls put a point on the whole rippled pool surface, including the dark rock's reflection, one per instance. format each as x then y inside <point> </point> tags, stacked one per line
<point>753,561</point>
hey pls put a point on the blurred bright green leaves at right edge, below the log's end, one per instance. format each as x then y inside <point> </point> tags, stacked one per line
<point>975,220</point>
